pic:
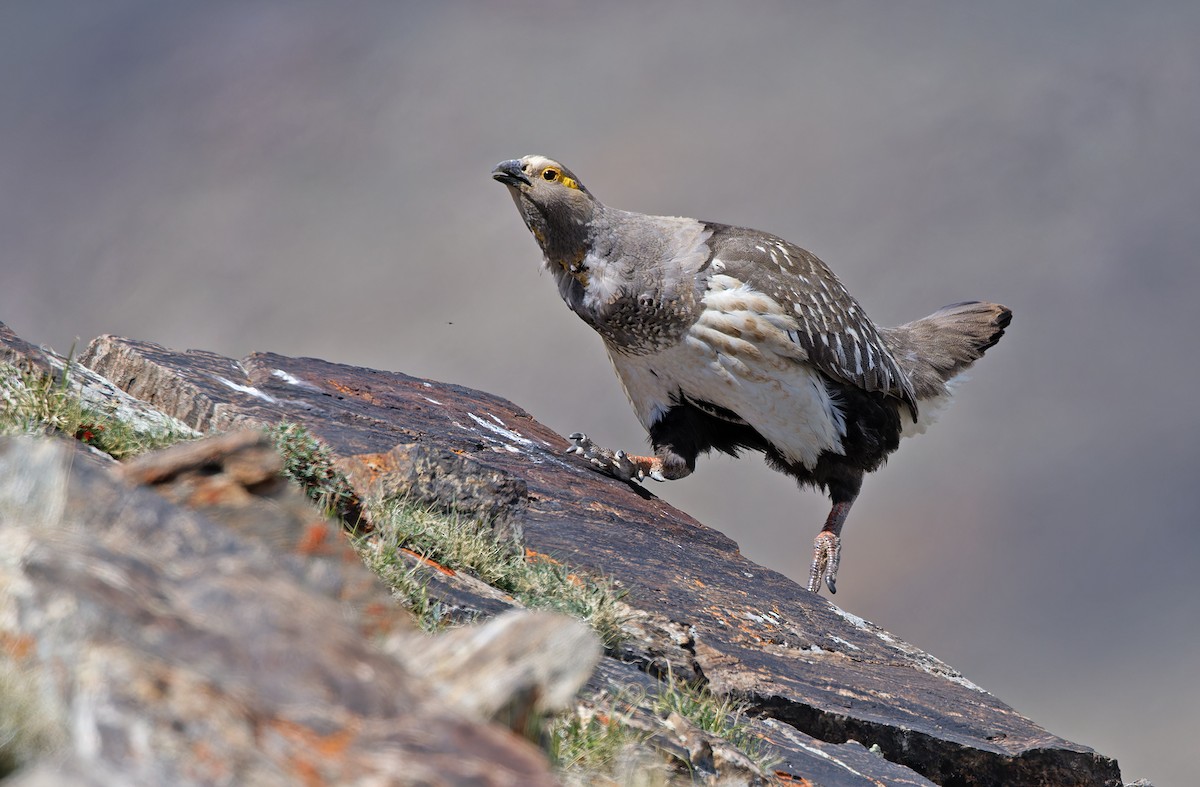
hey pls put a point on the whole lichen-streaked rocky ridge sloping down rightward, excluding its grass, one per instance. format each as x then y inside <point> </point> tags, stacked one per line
<point>837,700</point>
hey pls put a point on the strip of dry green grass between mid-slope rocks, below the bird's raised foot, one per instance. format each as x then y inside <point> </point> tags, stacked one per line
<point>464,545</point>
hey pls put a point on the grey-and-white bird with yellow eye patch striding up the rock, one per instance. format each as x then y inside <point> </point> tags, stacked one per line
<point>731,339</point>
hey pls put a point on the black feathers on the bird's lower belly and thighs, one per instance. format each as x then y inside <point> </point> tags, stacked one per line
<point>873,432</point>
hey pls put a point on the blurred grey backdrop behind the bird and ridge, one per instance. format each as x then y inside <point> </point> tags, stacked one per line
<point>313,179</point>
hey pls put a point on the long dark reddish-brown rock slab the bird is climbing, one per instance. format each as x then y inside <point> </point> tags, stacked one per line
<point>753,633</point>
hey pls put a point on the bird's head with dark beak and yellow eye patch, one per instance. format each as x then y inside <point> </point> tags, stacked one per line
<point>554,203</point>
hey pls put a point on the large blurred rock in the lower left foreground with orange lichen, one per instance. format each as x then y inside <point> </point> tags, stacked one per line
<point>171,651</point>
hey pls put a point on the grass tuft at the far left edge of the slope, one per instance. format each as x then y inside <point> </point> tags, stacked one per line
<point>35,404</point>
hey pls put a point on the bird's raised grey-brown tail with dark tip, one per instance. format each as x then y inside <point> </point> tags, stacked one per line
<point>937,349</point>
